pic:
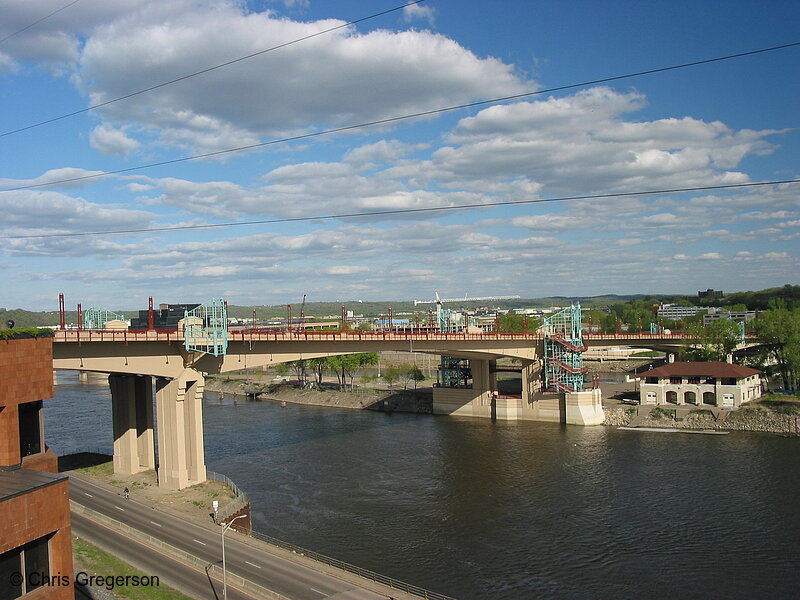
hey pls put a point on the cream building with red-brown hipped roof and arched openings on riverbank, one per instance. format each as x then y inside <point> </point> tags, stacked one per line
<point>701,383</point>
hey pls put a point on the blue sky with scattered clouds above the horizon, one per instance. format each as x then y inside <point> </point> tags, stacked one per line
<point>723,123</point>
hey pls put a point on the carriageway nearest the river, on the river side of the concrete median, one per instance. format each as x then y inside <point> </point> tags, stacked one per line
<point>267,569</point>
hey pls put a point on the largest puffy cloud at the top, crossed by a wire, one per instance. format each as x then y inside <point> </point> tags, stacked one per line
<point>365,76</point>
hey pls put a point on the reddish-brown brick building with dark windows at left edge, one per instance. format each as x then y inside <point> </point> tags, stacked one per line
<point>35,536</point>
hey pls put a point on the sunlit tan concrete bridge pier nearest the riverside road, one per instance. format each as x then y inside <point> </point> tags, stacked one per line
<point>179,406</point>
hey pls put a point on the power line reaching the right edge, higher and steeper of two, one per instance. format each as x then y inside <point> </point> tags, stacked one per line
<point>396,119</point>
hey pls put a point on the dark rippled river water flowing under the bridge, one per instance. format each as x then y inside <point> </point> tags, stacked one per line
<point>479,509</point>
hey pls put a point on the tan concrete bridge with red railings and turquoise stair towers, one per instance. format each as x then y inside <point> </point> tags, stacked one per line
<point>173,363</point>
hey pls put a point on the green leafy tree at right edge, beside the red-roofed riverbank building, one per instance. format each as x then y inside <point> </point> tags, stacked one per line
<point>779,329</point>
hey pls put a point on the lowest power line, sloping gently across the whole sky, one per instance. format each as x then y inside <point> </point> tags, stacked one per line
<point>404,211</point>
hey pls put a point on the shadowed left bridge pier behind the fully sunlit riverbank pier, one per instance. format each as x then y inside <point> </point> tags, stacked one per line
<point>132,415</point>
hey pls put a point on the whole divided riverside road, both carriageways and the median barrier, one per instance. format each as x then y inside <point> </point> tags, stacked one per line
<point>187,554</point>
